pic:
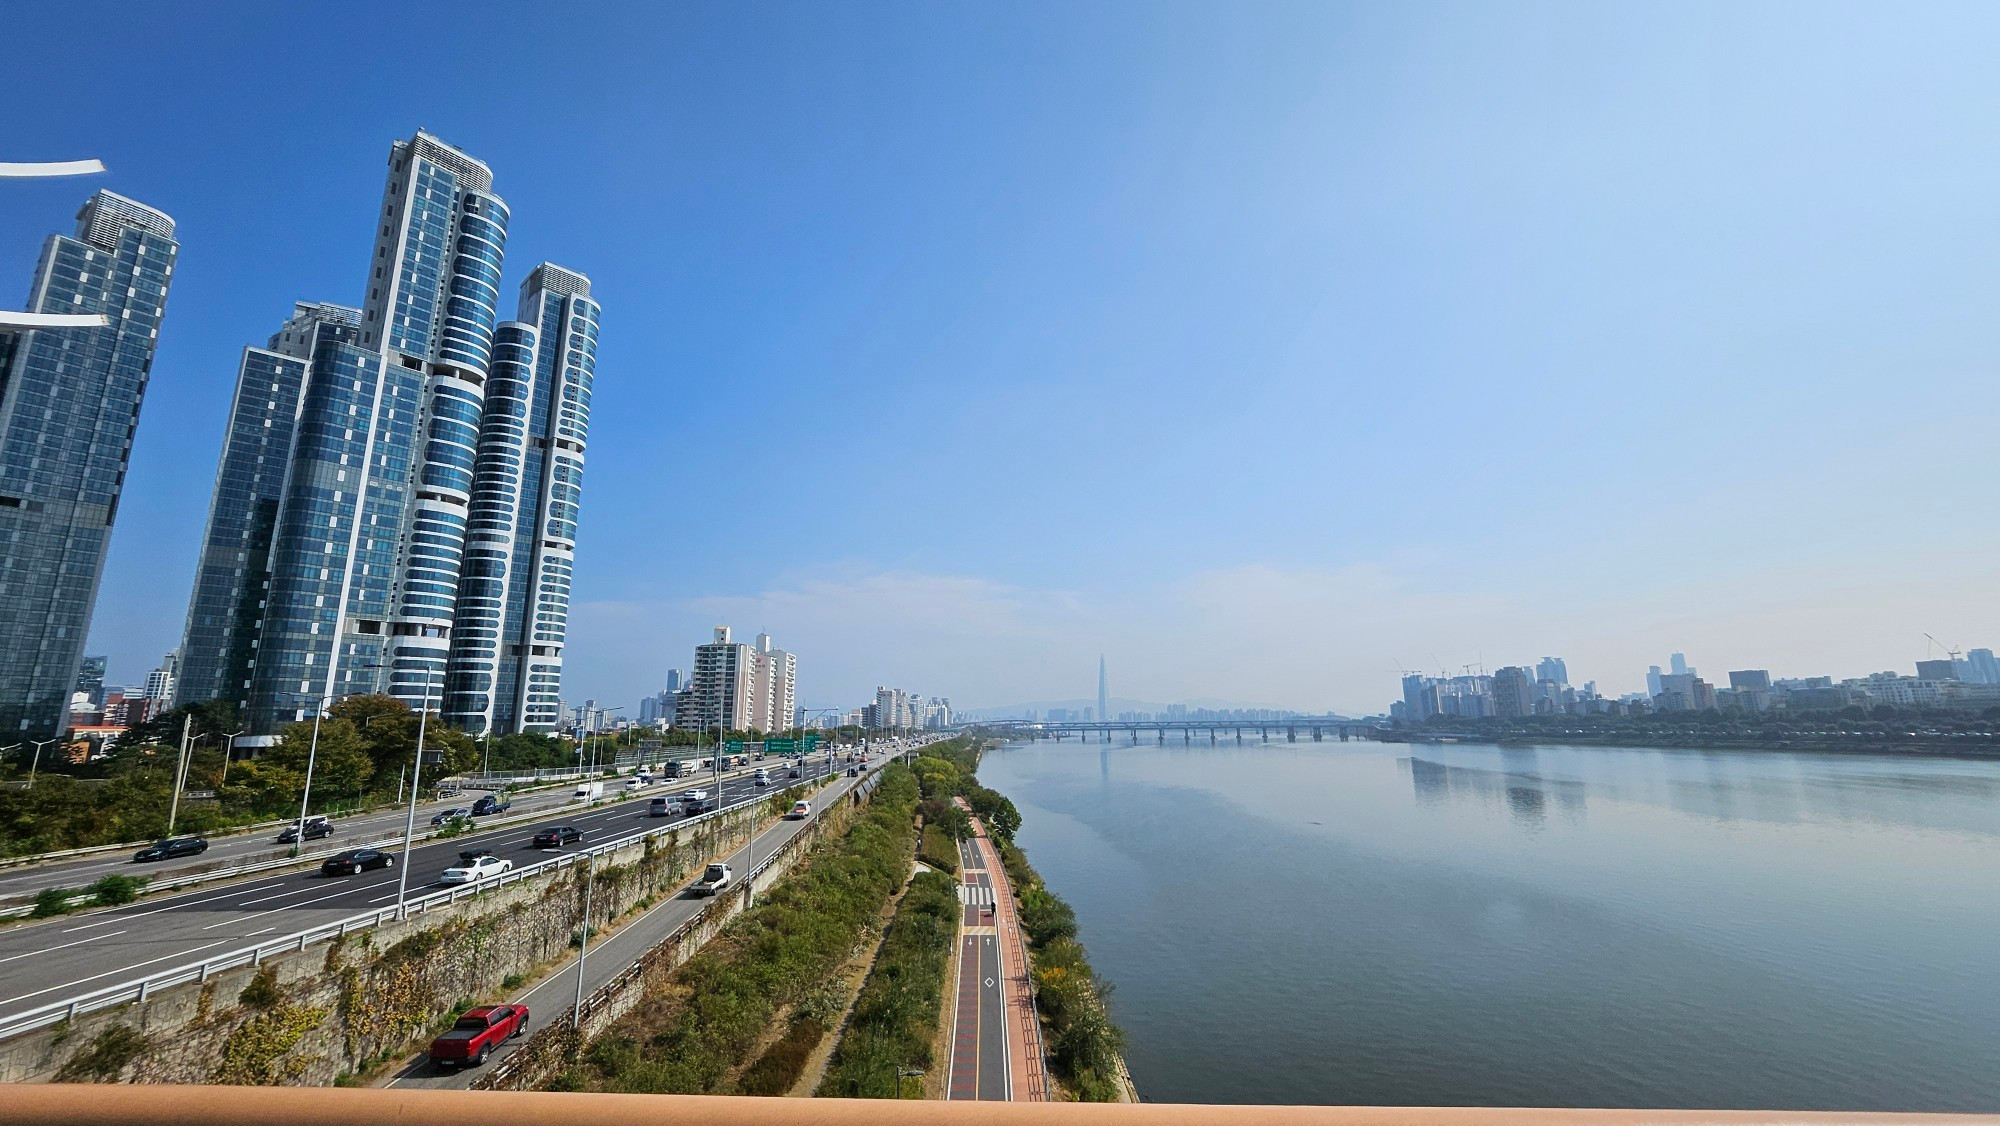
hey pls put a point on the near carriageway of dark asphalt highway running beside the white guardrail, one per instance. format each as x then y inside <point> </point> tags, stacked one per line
<point>49,961</point>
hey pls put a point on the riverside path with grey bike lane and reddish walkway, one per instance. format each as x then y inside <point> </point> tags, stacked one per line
<point>997,1039</point>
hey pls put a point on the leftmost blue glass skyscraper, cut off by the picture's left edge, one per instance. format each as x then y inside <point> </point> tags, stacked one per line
<point>69,409</point>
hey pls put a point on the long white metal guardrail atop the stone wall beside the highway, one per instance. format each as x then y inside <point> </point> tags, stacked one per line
<point>143,989</point>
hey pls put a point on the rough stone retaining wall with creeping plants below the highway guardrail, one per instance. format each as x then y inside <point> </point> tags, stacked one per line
<point>335,1009</point>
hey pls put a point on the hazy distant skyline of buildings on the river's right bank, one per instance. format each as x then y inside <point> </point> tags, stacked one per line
<point>1545,691</point>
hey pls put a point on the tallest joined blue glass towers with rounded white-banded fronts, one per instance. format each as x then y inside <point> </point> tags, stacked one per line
<point>389,461</point>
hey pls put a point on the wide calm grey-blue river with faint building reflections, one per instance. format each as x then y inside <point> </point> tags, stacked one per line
<point>1533,927</point>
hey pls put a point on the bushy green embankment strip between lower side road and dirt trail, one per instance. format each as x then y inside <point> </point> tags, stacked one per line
<point>693,1035</point>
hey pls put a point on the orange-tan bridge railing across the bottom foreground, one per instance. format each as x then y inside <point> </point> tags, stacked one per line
<point>365,1107</point>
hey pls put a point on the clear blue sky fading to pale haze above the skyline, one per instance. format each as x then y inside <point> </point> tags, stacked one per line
<point>1261,347</point>
